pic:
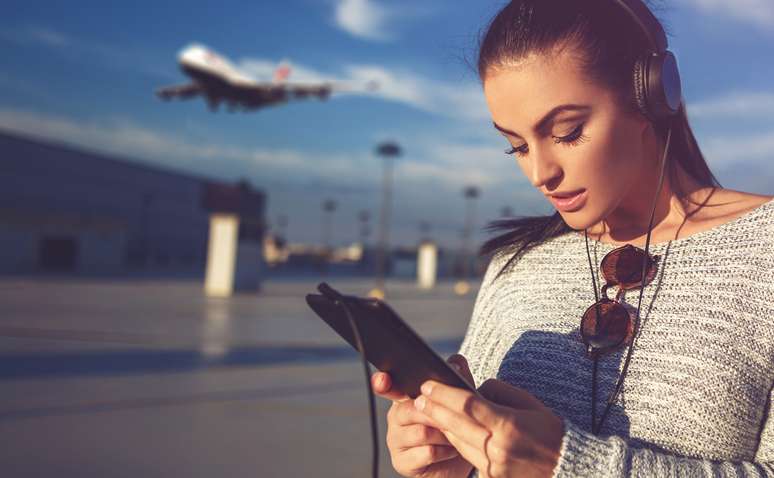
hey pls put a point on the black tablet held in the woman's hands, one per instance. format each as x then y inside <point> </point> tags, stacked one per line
<point>389,343</point>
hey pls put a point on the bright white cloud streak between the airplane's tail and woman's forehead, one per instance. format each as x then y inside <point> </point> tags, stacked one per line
<point>459,100</point>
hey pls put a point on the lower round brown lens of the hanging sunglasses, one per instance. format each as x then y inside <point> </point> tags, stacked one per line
<point>606,325</point>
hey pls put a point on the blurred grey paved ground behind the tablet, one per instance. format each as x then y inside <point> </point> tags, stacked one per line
<point>117,378</point>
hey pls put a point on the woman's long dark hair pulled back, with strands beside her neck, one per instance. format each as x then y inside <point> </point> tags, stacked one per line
<point>609,45</point>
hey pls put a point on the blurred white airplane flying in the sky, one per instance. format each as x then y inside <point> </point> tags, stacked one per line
<point>218,80</point>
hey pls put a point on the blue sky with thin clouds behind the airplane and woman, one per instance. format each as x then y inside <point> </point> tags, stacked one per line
<point>84,72</point>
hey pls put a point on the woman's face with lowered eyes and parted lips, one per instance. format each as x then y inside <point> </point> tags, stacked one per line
<point>568,134</point>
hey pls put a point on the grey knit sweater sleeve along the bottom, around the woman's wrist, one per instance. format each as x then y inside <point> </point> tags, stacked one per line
<point>585,455</point>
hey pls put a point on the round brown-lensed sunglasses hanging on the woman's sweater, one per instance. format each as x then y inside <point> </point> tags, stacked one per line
<point>607,326</point>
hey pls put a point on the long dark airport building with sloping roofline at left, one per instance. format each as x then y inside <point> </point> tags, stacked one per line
<point>67,211</point>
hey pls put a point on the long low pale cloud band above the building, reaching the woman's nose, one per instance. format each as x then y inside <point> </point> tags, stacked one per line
<point>447,165</point>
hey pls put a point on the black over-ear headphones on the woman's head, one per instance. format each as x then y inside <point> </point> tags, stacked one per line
<point>657,87</point>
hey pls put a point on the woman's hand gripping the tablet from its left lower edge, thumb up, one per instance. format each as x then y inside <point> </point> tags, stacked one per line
<point>417,448</point>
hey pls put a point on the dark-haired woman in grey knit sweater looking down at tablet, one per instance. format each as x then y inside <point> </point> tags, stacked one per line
<point>545,349</point>
